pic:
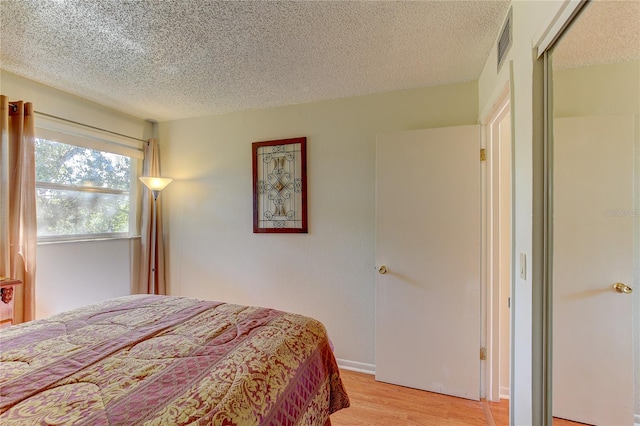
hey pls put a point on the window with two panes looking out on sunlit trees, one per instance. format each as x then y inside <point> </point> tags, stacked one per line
<point>83,189</point>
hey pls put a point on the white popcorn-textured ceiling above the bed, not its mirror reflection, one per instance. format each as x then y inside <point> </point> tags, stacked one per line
<point>171,59</point>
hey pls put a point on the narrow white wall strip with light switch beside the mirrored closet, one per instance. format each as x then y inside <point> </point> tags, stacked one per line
<point>530,20</point>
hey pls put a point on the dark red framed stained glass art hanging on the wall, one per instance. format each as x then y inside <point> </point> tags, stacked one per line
<point>280,186</point>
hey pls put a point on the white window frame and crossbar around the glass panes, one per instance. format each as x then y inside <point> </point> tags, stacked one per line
<point>62,131</point>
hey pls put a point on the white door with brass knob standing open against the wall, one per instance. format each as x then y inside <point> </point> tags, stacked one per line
<point>428,237</point>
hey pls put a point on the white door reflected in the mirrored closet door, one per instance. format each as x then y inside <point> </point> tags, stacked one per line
<point>593,244</point>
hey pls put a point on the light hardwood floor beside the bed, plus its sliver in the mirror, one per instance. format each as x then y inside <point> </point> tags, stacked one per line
<point>381,404</point>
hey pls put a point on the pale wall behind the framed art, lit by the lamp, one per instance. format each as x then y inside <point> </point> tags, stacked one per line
<point>328,273</point>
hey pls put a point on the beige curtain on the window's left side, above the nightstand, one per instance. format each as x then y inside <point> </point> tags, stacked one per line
<point>18,232</point>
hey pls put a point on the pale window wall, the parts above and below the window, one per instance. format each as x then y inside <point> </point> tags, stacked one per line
<point>75,274</point>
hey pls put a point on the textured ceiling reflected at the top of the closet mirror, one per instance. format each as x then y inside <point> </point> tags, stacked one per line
<point>605,32</point>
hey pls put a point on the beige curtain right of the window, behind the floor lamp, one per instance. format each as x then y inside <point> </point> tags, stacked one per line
<point>151,254</point>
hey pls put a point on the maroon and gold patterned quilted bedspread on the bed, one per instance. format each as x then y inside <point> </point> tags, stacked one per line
<point>160,360</point>
